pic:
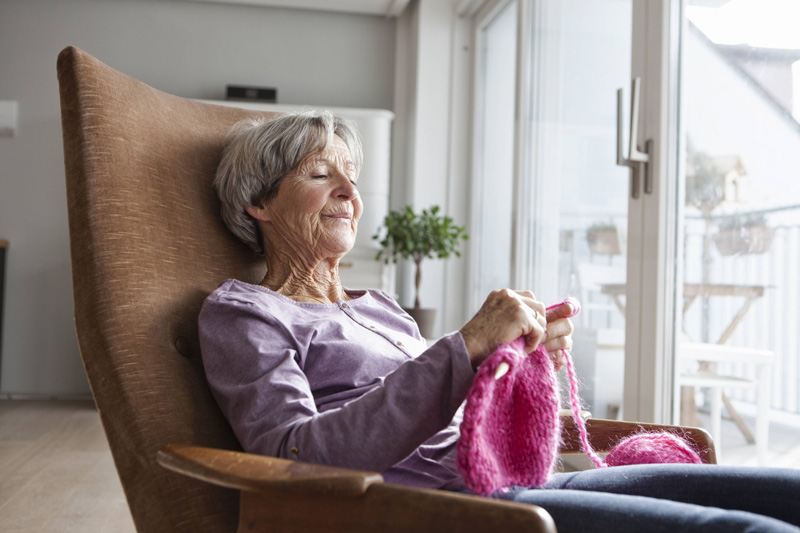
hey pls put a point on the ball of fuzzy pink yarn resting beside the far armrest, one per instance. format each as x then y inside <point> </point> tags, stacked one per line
<point>652,448</point>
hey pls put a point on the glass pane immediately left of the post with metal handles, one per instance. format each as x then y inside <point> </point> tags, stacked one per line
<point>575,213</point>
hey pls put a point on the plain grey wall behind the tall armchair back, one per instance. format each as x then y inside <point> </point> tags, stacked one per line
<point>184,48</point>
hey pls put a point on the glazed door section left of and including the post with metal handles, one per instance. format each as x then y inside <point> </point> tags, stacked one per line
<point>556,213</point>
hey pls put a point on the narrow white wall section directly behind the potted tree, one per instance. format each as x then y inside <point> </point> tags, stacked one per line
<point>431,143</point>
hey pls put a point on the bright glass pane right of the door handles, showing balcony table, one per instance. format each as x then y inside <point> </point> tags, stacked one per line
<point>740,224</point>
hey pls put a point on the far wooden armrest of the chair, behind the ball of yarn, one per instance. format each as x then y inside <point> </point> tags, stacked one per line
<point>605,434</point>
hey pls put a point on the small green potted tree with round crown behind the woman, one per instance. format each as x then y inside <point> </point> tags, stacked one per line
<point>406,235</point>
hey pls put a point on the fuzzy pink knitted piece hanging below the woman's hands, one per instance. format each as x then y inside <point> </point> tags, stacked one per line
<point>510,433</point>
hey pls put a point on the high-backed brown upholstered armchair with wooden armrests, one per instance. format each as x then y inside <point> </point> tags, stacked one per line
<point>147,247</point>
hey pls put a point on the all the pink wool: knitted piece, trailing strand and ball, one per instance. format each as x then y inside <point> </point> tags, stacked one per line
<point>511,428</point>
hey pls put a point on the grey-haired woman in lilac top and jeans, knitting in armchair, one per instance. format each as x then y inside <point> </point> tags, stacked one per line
<point>306,369</point>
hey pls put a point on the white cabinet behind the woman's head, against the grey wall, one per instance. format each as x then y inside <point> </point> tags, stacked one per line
<point>358,270</point>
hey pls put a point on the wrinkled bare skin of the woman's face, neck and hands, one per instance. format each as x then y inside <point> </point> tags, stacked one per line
<point>312,223</point>
